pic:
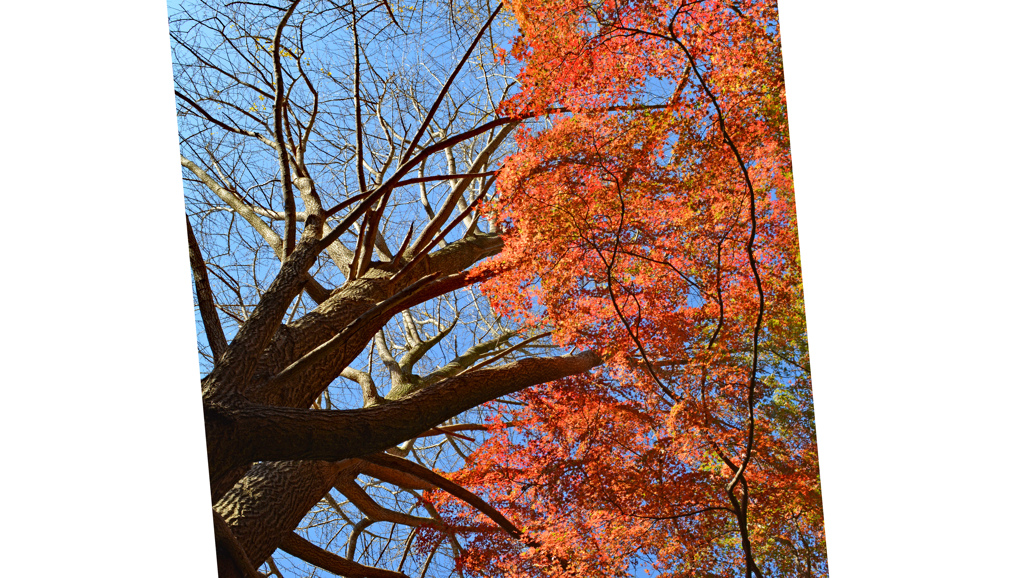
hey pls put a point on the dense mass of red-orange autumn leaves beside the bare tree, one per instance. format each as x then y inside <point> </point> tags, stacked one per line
<point>629,219</point>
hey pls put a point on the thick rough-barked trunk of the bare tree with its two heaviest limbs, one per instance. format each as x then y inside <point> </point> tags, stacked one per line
<point>268,422</point>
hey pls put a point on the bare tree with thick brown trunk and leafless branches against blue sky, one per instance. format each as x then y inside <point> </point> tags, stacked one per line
<point>336,157</point>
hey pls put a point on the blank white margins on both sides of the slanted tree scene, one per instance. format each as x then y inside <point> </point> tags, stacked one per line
<point>907,126</point>
